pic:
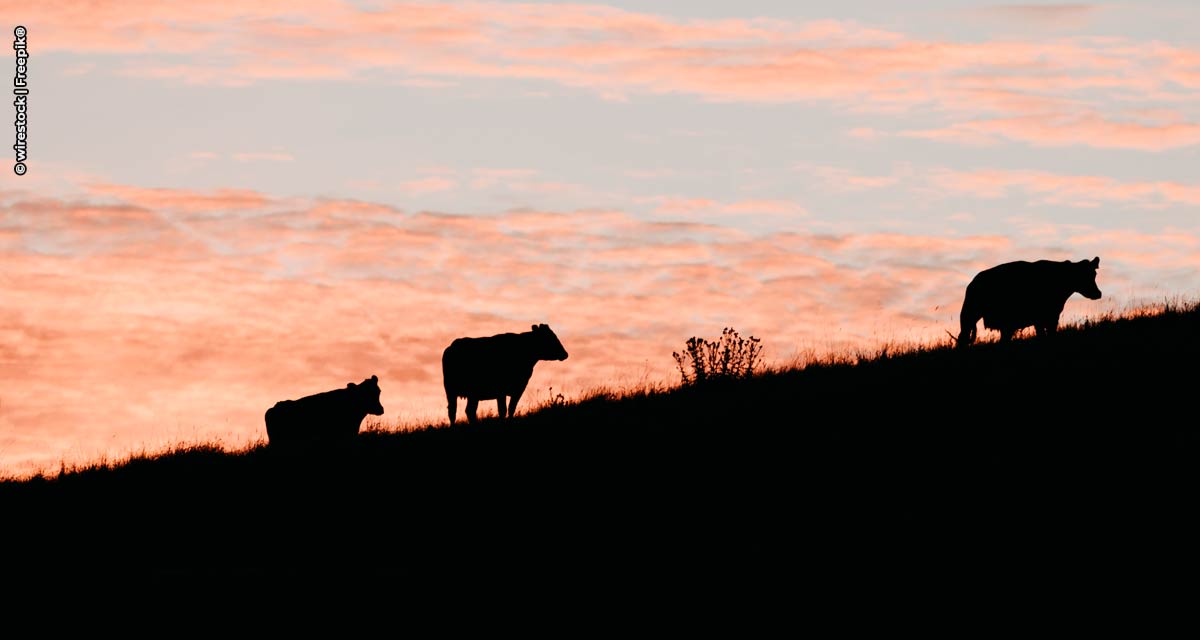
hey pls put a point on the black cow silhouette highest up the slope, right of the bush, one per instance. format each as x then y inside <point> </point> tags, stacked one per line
<point>1013,296</point>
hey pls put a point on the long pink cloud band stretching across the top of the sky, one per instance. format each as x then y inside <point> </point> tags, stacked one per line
<point>1064,92</point>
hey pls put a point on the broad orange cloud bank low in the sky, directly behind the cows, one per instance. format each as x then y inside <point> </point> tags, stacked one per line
<point>139,318</point>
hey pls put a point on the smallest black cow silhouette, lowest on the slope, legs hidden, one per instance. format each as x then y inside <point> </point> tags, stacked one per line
<point>326,417</point>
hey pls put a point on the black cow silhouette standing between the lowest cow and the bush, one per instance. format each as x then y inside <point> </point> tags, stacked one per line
<point>495,368</point>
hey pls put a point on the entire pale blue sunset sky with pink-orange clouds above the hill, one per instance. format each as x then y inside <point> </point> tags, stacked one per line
<point>227,205</point>
